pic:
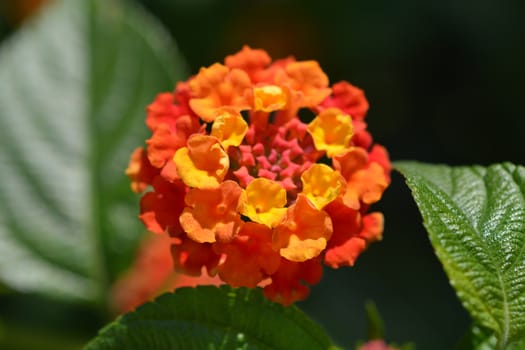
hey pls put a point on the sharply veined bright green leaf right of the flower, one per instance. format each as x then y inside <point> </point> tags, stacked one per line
<point>475,217</point>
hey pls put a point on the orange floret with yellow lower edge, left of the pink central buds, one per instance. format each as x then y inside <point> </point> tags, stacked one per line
<point>203,163</point>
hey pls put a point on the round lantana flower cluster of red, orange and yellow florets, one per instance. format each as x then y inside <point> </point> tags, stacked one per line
<point>261,171</point>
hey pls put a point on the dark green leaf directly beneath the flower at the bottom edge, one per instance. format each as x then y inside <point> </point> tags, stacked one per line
<point>210,317</point>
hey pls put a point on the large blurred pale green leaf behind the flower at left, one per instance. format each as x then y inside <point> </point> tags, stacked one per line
<point>74,84</point>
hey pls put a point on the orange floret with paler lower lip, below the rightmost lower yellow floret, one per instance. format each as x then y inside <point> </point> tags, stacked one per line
<point>303,233</point>
